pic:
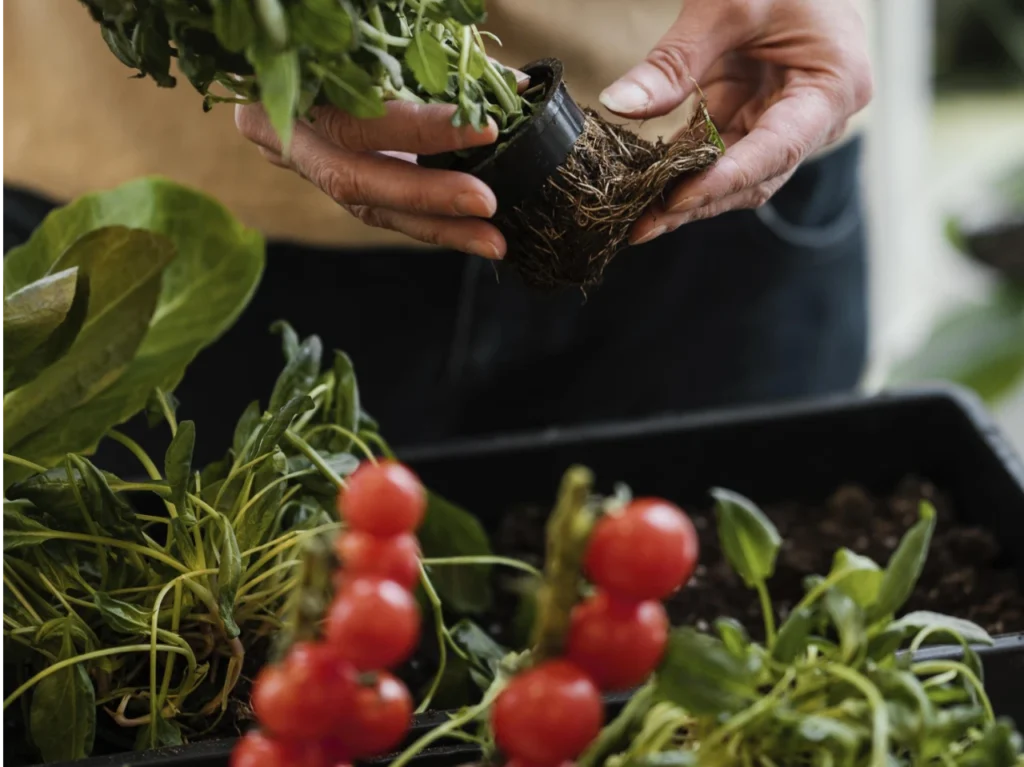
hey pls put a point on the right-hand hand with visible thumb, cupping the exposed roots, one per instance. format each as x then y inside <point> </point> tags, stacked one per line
<point>782,77</point>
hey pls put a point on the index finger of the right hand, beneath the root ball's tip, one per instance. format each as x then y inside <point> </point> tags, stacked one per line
<point>785,136</point>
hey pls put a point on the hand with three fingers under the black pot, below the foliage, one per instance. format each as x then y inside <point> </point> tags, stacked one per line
<point>369,167</point>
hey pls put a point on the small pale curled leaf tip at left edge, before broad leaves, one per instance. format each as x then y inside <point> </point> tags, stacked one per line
<point>31,315</point>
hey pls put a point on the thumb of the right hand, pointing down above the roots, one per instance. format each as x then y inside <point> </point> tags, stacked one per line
<point>705,31</point>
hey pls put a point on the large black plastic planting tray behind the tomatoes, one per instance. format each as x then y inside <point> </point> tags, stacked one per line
<point>794,452</point>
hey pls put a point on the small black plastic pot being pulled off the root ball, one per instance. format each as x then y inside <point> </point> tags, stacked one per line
<point>518,167</point>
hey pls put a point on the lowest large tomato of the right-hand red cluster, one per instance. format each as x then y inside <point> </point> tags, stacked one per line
<point>548,715</point>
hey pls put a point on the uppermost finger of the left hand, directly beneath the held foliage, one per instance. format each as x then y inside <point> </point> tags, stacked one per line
<point>419,130</point>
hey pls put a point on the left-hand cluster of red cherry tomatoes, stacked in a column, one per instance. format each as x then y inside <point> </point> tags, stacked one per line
<point>332,702</point>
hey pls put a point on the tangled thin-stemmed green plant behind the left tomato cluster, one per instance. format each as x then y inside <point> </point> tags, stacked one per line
<point>135,612</point>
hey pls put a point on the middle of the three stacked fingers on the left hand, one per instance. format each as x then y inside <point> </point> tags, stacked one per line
<point>367,179</point>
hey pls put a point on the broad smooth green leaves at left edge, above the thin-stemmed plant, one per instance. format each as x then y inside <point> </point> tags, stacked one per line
<point>110,300</point>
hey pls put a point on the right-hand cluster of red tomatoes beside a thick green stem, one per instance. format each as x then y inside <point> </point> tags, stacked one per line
<point>635,558</point>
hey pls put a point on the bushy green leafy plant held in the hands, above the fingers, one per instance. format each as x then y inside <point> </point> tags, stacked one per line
<point>292,55</point>
